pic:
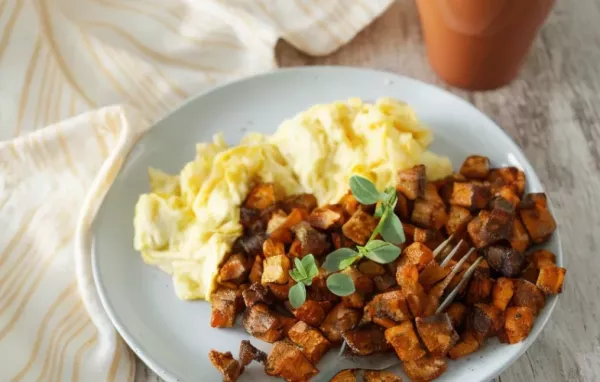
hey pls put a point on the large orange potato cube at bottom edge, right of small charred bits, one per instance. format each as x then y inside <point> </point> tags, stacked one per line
<point>288,362</point>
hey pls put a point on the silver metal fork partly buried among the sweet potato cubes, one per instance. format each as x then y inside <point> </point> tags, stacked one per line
<point>344,360</point>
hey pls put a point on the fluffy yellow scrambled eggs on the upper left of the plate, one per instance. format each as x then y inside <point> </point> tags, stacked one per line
<point>187,224</point>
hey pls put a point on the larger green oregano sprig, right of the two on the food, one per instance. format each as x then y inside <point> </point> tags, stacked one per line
<point>381,251</point>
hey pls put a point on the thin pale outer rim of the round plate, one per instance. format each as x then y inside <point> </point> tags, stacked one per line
<point>170,376</point>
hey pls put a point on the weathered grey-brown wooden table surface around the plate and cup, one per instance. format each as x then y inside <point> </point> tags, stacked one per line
<point>551,112</point>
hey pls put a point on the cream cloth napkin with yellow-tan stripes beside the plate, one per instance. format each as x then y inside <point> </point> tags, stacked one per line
<point>62,63</point>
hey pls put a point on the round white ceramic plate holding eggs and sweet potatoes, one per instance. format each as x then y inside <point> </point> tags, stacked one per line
<point>174,337</point>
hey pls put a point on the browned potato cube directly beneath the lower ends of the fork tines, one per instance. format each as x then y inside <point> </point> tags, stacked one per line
<point>437,333</point>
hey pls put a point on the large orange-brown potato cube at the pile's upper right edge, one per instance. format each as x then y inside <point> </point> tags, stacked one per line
<point>536,217</point>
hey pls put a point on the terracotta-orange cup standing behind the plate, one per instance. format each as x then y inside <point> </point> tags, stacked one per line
<point>480,44</point>
